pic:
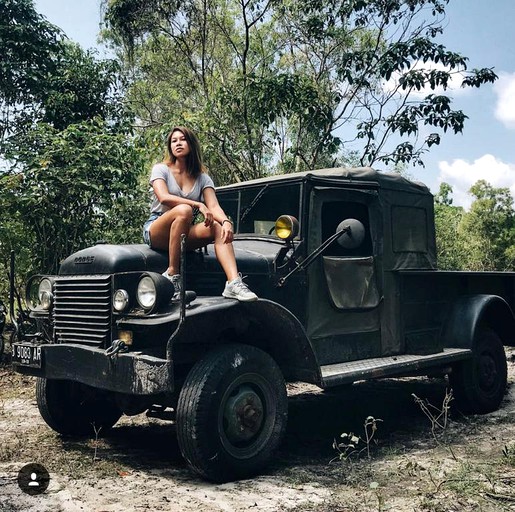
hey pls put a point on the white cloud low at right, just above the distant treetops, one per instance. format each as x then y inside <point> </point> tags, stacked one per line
<point>461,175</point>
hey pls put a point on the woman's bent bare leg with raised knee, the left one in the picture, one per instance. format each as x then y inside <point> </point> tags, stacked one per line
<point>166,231</point>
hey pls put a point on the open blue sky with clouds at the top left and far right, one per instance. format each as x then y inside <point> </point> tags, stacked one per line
<point>479,29</point>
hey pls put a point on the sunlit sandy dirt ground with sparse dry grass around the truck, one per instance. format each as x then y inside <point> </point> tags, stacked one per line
<point>467,466</point>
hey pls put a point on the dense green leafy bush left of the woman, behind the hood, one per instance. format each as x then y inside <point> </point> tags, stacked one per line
<point>74,187</point>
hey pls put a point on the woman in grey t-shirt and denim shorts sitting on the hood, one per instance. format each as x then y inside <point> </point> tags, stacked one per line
<point>184,201</point>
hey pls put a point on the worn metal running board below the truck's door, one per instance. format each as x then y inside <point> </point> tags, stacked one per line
<point>391,366</point>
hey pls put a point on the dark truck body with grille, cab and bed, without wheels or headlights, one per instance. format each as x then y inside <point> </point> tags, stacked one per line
<point>377,310</point>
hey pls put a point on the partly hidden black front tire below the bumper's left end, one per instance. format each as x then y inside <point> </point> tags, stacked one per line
<point>74,409</point>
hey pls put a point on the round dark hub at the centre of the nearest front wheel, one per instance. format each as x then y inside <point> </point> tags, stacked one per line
<point>243,415</point>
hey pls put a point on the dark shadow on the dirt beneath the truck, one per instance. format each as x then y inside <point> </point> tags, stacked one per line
<point>316,418</point>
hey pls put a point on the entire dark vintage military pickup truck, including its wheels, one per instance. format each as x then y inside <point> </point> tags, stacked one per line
<point>344,263</point>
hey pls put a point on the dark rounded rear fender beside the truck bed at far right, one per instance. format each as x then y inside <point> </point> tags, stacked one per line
<point>470,312</point>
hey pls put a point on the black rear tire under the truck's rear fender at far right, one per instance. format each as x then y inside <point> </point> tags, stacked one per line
<point>479,383</point>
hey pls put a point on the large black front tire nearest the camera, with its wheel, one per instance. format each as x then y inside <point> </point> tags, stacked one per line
<point>232,413</point>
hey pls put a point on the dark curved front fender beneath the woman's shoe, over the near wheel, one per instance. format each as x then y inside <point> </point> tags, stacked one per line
<point>264,324</point>
